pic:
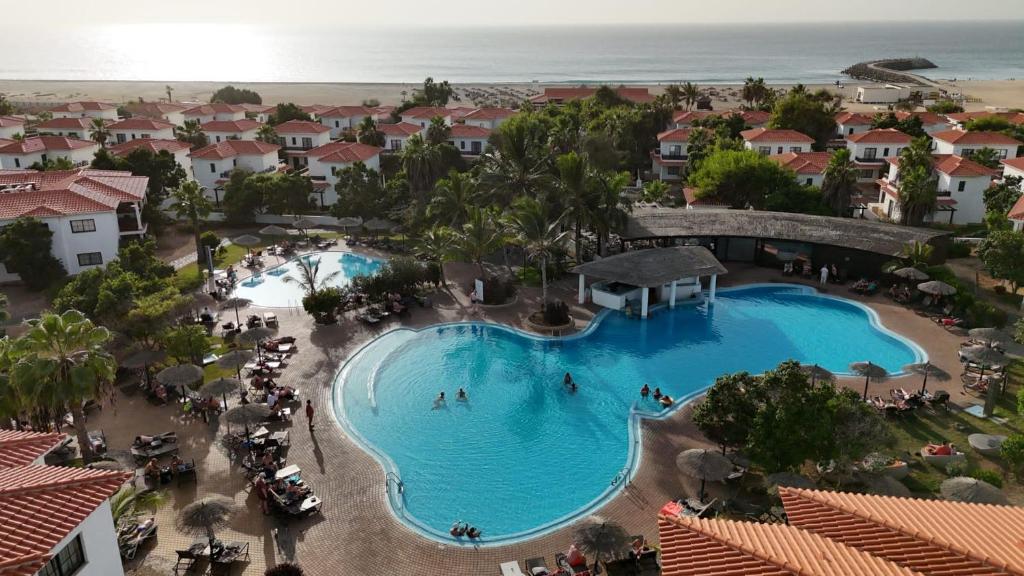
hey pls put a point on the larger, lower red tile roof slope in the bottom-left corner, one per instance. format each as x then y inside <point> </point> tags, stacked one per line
<point>40,506</point>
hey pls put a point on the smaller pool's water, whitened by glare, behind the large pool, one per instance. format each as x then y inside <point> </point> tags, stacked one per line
<point>270,289</point>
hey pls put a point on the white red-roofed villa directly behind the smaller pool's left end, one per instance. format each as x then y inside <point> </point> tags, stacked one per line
<point>214,164</point>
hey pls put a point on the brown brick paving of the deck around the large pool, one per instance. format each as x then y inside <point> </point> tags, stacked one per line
<point>357,533</point>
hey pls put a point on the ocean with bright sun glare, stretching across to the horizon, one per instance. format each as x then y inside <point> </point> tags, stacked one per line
<point>706,54</point>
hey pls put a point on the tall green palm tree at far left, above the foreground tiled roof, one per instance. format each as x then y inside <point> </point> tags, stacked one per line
<point>64,356</point>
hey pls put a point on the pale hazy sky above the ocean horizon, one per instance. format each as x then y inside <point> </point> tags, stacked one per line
<point>504,13</point>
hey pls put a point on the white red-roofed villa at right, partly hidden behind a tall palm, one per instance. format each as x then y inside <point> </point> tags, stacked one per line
<point>962,190</point>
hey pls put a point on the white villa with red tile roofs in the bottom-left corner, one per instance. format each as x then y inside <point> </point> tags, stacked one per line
<point>58,519</point>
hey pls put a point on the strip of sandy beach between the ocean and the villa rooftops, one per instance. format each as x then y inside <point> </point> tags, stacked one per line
<point>1008,94</point>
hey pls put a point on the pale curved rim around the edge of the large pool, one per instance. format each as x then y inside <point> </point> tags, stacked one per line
<point>636,419</point>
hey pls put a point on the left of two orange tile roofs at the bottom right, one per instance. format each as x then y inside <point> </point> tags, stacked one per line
<point>721,548</point>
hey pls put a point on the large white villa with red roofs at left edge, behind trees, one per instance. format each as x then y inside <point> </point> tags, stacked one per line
<point>89,212</point>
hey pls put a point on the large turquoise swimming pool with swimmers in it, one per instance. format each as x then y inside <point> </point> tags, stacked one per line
<point>523,457</point>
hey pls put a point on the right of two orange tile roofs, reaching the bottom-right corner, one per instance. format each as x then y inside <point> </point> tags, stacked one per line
<point>929,537</point>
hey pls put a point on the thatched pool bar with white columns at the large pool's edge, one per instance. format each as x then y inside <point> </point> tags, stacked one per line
<point>672,273</point>
